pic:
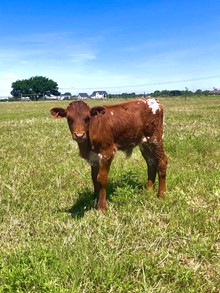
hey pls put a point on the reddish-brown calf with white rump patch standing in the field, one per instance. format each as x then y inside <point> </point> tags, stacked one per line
<point>101,131</point>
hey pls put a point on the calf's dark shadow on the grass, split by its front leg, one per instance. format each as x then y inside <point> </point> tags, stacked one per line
<point>87,200</point>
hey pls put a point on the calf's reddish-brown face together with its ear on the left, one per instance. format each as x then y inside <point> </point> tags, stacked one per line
<point>78,117</point>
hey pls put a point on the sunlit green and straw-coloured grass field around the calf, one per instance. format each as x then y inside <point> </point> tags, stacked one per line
<point>53,240</point>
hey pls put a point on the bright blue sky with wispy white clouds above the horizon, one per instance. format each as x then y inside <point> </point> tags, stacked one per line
<point>117,45</point>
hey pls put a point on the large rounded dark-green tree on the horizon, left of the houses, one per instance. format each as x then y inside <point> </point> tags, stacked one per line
<point>34,87</point>
